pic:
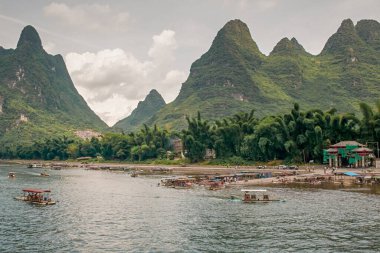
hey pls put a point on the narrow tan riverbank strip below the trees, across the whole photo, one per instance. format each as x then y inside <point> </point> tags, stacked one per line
<point>313,175</point>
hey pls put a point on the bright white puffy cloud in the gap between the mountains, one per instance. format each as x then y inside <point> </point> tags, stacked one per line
<point>113,81</point>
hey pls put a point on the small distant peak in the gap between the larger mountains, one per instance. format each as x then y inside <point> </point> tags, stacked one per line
<point>145,110</point>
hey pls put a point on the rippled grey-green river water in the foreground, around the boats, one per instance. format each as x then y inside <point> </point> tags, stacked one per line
<point>112,212</point>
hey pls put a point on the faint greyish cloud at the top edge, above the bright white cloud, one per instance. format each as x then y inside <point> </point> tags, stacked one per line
<point>88,16</point>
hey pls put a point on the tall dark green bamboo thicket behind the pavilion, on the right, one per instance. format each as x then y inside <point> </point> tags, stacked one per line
<point>296,136</point>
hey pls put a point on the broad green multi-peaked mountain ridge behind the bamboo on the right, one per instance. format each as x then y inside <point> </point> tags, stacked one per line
<point>233,75</point>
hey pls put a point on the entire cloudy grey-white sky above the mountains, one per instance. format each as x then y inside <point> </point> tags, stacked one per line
<point>117,51</point>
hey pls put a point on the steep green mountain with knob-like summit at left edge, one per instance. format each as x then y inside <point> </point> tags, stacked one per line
<point>37,96</point>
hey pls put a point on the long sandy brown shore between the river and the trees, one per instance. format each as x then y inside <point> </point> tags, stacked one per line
<point>280,177</point>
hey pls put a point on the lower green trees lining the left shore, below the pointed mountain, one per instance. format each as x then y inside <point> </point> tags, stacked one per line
<point>145,144</point>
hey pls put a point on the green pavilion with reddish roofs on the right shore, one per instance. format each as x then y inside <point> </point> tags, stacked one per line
<point>348,154</point>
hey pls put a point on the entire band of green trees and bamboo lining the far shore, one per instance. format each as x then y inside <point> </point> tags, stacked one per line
<point>297,136</point>
